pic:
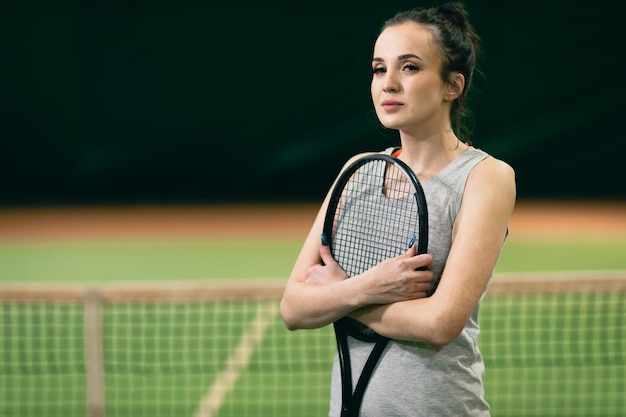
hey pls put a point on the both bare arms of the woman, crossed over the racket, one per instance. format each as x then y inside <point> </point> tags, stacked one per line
<point>391,297</point>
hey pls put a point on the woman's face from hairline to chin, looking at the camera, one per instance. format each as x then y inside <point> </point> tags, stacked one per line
<point>407,89</point>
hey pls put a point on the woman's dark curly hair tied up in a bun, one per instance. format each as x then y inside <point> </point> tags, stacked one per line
<point>459,46</point>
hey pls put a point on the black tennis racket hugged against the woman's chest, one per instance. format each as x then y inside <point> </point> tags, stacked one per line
<point>377,210</point>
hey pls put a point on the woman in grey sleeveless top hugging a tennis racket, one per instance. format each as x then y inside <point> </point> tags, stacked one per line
<point>422,66</point>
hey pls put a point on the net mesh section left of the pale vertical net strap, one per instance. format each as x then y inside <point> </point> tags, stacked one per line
<point>42,366</point>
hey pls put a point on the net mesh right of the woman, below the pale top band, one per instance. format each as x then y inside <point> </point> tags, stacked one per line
<point>558,354</point>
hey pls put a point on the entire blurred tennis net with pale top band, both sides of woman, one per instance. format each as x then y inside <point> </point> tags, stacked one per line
<point>549,352</point>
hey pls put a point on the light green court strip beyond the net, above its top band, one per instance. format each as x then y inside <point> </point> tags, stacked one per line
<point>105,262</point>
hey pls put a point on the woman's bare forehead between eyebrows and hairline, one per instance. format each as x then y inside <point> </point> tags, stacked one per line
<point>406,38</point>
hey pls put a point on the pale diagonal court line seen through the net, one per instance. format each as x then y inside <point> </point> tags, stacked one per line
<point>212,401</point>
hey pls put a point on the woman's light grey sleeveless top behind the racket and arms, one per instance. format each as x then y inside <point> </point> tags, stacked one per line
<point>416,378</point>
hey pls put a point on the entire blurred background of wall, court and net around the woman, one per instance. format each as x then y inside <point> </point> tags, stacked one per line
<point>141,140</point>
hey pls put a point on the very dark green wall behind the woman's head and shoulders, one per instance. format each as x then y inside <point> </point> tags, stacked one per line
<point>159,102</point>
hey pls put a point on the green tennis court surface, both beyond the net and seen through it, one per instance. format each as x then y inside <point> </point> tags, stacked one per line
<point>546,354</point>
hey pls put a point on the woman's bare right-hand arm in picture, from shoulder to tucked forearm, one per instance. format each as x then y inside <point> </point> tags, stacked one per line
<point>477,240</point>
